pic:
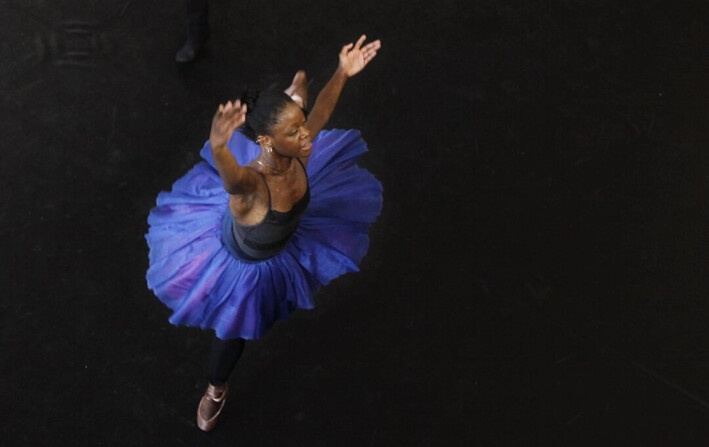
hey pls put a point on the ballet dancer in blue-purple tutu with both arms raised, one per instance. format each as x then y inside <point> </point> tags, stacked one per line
<point>275,211</point>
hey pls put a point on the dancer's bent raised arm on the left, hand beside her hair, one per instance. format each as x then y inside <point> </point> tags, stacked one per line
<point>237,179</point>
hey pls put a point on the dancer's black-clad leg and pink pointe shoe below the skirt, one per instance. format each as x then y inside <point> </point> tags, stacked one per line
<point>225,354</point>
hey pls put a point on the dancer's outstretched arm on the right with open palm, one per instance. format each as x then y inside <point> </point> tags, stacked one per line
<point>353,58</point>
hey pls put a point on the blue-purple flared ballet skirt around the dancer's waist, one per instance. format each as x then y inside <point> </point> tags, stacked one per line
<point>193,273</point>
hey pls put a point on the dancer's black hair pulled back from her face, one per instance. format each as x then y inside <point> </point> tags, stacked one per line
<point>262,110</point>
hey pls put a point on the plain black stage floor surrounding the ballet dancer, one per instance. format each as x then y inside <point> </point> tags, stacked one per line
<point>538,276</point>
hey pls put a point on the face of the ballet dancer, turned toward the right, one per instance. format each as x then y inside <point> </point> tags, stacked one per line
<point>290,137</point>
